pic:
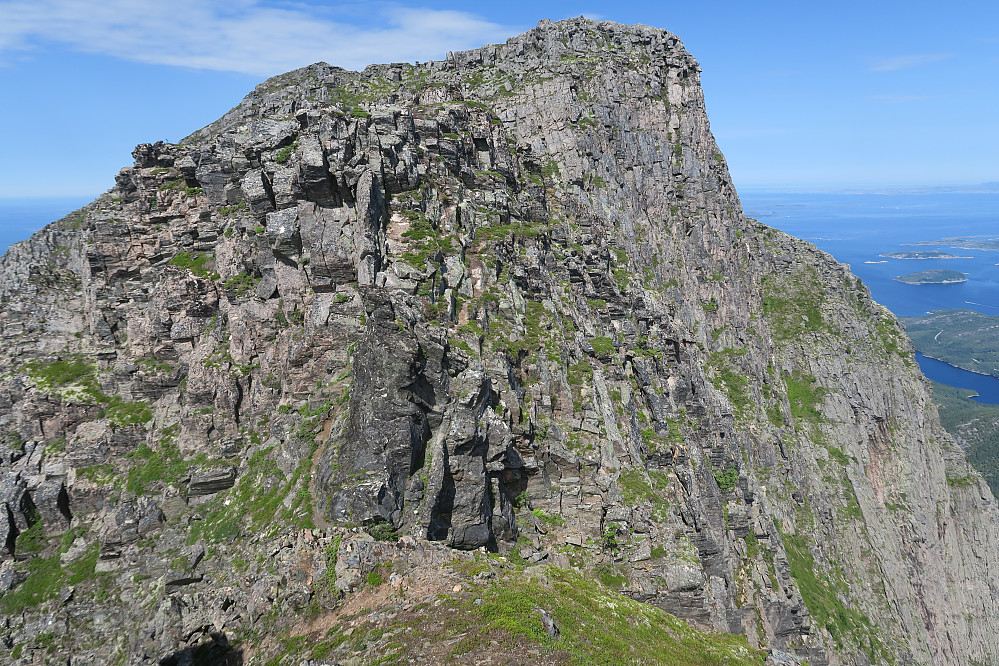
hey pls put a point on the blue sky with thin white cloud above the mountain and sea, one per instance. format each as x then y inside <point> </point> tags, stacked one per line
<point>800,95</point>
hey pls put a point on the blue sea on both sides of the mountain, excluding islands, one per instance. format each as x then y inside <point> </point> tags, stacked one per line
<point>855,229</point>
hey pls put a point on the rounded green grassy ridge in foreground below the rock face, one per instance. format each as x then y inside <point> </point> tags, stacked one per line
<point>500,620</point>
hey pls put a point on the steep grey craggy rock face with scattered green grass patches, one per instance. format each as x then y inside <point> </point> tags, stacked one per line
<point>505,301</point>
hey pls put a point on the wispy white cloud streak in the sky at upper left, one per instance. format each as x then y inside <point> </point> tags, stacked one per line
<point>246,36</point>
